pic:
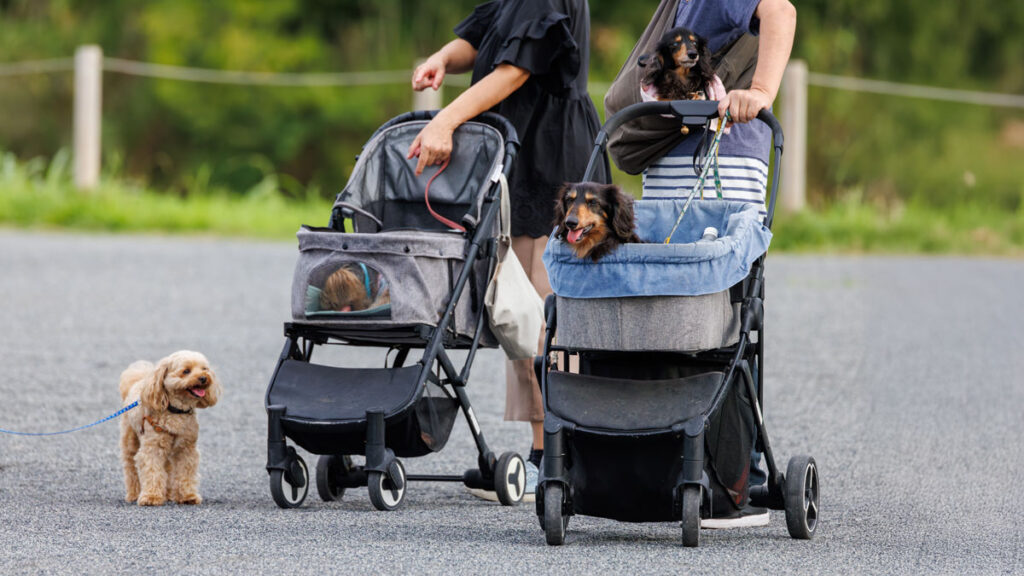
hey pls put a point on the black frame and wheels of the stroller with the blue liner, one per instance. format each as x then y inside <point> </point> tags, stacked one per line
<point>796,491</point>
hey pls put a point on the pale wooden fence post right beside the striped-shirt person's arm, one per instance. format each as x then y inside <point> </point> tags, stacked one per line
<point>794,120</point>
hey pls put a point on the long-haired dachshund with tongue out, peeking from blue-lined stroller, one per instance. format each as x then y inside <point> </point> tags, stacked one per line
<point>594,219</point>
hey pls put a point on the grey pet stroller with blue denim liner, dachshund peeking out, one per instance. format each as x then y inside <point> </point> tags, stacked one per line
<point>659,423</point>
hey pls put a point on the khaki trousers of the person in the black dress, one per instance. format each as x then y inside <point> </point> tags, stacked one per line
<point>523,394</point>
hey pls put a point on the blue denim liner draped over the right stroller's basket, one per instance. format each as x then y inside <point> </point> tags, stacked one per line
<point>685,268</point>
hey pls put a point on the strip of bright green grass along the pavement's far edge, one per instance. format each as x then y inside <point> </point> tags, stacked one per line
<point>36,195</point>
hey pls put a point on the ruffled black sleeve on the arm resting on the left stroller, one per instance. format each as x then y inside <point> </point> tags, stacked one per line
<point>543,46</point>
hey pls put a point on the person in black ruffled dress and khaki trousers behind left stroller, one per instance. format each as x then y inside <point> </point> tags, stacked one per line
<point>530,61</point>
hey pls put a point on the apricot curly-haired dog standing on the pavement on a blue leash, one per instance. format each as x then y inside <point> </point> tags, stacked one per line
<point>158,440</point>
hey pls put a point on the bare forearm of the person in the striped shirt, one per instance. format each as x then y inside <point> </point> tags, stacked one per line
<point>779,25</point>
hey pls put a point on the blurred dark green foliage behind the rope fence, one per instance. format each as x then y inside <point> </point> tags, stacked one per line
<point>178,134</point>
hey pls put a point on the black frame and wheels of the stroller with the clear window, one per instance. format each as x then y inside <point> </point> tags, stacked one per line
<point>372,434</point>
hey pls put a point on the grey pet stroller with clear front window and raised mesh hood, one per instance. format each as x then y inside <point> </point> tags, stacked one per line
<point>409,282</point>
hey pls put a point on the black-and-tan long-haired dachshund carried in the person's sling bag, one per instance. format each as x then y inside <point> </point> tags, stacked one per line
<point>679,68</point>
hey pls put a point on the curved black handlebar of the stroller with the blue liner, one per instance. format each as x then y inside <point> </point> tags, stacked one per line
<point>693,113</point>
